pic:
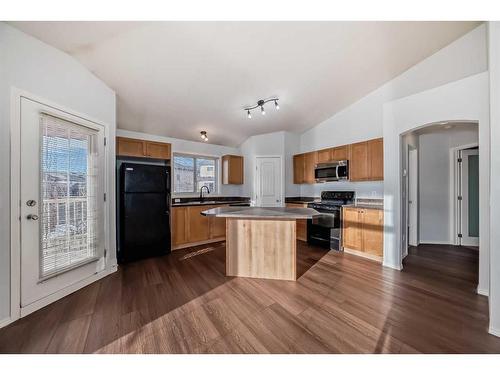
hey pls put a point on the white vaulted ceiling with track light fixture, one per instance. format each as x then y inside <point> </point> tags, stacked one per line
<point>178,78</point>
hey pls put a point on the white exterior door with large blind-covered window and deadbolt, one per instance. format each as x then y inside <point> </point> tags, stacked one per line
<point>62,208</point>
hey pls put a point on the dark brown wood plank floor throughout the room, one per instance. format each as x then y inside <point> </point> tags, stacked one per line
<point>183,303</point>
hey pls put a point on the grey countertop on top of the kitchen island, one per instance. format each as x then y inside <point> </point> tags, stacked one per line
<point>290,213</point>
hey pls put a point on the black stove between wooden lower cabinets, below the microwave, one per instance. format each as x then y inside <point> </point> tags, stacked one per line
<point>325,230</point>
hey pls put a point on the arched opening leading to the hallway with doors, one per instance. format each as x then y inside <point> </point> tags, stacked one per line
<point>440,192</point>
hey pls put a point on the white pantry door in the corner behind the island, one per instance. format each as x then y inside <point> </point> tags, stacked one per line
<point>268,182</point>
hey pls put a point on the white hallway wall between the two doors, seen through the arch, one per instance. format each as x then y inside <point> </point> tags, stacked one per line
<point>436,212</point>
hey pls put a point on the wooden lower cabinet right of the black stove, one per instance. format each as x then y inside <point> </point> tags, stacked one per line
<point>363,231</point>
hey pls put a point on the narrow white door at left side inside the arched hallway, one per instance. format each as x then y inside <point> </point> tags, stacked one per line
<point>413,197</point>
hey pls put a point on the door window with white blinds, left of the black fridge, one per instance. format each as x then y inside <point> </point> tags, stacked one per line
<point>71,195</point>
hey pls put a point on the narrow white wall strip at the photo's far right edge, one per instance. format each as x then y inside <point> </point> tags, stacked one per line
<point>494,82</point>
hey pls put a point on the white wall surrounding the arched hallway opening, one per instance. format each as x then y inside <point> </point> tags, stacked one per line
<point>466,99</point>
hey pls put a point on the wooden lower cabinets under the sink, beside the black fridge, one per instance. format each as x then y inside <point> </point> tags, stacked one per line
<point>190,227</point>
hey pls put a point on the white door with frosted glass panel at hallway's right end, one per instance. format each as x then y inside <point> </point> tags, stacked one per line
<point>469,194</point>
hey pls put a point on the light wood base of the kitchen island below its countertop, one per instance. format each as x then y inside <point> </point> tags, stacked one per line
<point>261,248</point>
